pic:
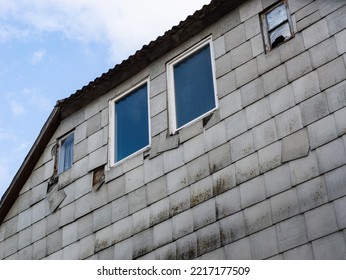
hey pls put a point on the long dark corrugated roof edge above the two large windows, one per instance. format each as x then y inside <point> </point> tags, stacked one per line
<point>191,26</point>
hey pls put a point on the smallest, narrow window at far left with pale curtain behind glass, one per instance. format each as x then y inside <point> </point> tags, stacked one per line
<point>65,158</point>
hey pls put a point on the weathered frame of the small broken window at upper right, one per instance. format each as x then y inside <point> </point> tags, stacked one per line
<point>265,31</point>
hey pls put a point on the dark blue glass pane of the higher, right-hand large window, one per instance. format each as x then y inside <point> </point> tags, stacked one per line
<point>194,89</point>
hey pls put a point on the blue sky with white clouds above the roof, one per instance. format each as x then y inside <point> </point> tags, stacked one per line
<point>51,48</point>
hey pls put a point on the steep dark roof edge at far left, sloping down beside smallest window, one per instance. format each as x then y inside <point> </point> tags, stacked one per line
<point>29,163</point>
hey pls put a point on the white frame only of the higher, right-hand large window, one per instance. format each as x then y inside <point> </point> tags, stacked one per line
<point>171,88</point>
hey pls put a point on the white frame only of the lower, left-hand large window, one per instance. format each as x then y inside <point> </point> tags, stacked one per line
<point>111,137</point>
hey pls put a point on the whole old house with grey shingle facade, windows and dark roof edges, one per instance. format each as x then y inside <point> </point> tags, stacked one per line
<point>225,138</point>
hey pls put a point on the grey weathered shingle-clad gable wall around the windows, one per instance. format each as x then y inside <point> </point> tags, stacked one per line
<point>263,178</point>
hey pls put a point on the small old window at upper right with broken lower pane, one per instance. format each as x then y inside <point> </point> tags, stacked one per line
<point>276,25</point>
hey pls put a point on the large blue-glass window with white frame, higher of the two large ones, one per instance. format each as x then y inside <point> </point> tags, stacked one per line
<point>191,85</point>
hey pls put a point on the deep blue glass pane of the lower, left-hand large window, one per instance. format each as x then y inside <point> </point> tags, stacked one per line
<point>131,123</point>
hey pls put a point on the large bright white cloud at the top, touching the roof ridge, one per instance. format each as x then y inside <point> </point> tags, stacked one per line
<point>124,26</point>
